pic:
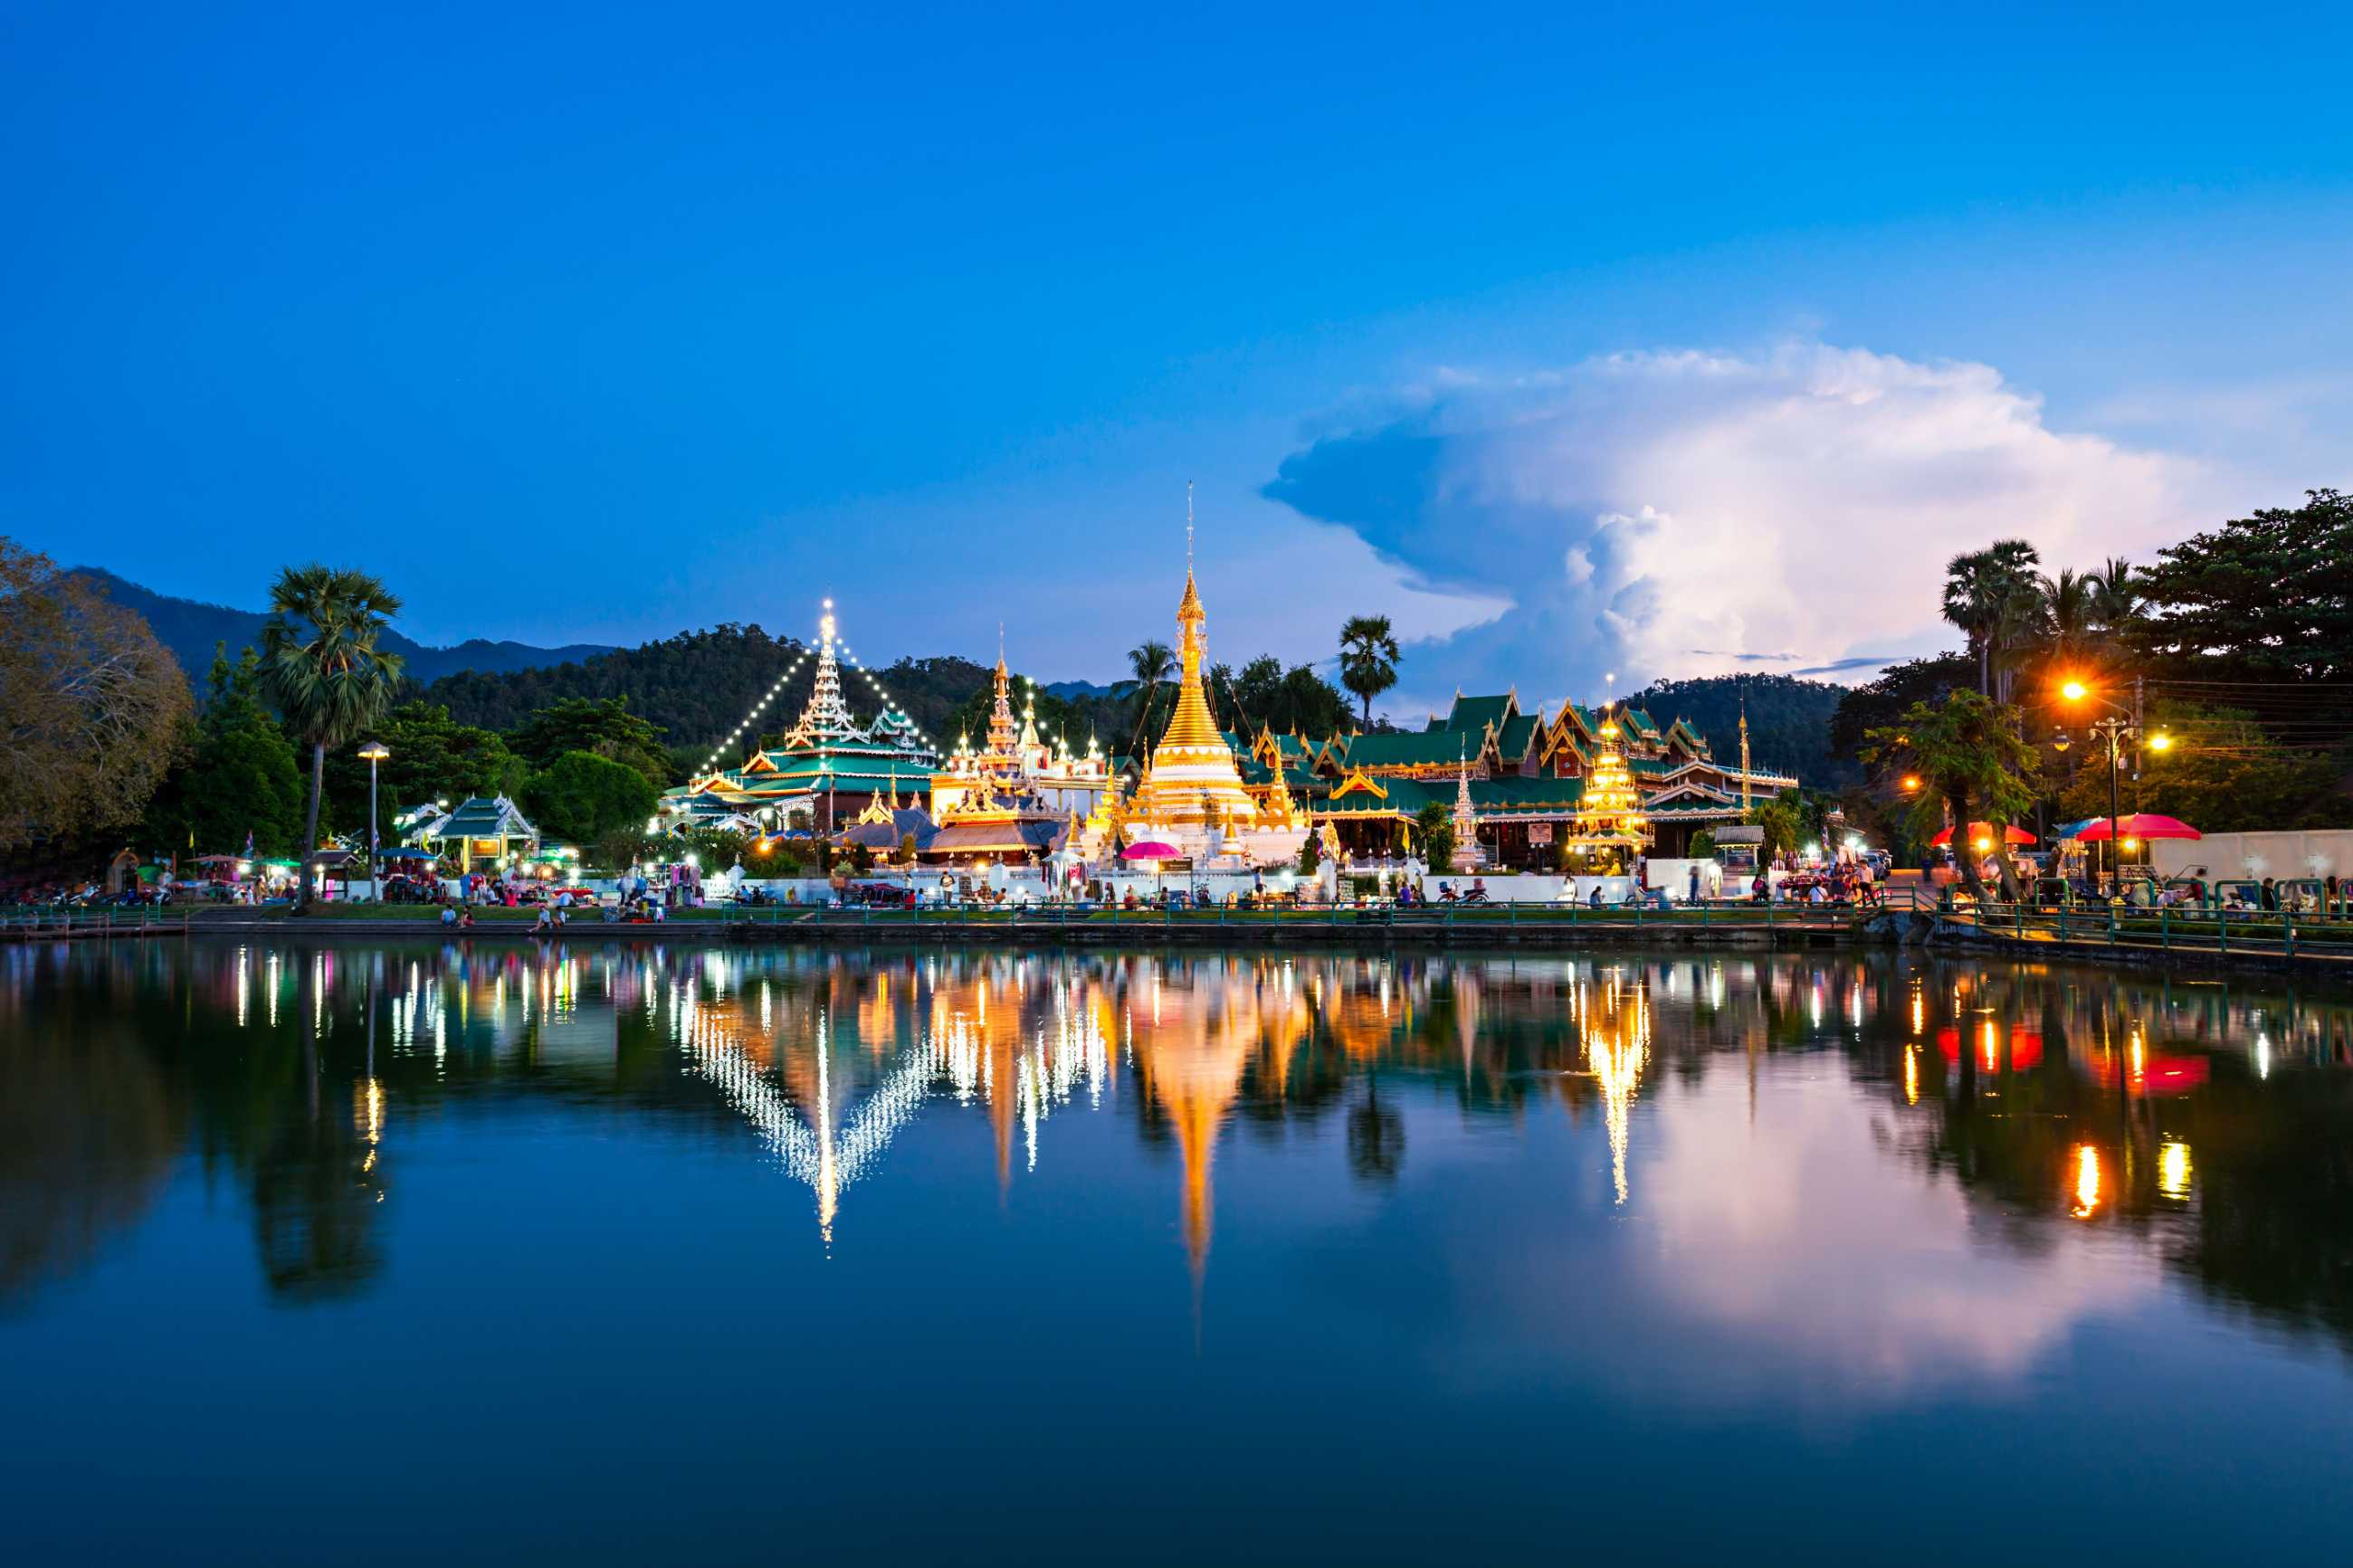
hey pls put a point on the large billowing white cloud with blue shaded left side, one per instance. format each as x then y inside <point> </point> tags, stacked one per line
<point>1686,514</point>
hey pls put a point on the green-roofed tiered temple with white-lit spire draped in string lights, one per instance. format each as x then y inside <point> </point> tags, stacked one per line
<point>827,768</point>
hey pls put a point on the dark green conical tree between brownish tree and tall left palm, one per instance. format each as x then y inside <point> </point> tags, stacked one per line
<point>241,777</point>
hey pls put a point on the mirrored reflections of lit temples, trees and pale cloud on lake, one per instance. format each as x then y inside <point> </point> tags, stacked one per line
<point>1773,1123</point>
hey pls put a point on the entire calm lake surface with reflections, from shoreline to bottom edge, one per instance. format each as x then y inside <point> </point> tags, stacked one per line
<point>632,1254</point>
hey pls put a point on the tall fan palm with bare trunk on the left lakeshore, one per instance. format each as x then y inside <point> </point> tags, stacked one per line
<point>324,669</point>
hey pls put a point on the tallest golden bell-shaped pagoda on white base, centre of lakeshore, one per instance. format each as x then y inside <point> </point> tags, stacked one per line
<point>1192,793</point>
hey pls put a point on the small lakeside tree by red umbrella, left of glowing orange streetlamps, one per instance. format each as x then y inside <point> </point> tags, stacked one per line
<point>1973,763</point>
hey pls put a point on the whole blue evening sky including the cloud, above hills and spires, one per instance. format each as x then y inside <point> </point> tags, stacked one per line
<point>1580,342</point>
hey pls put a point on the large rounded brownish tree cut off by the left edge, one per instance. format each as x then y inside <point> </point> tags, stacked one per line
<point>93,706</point>
